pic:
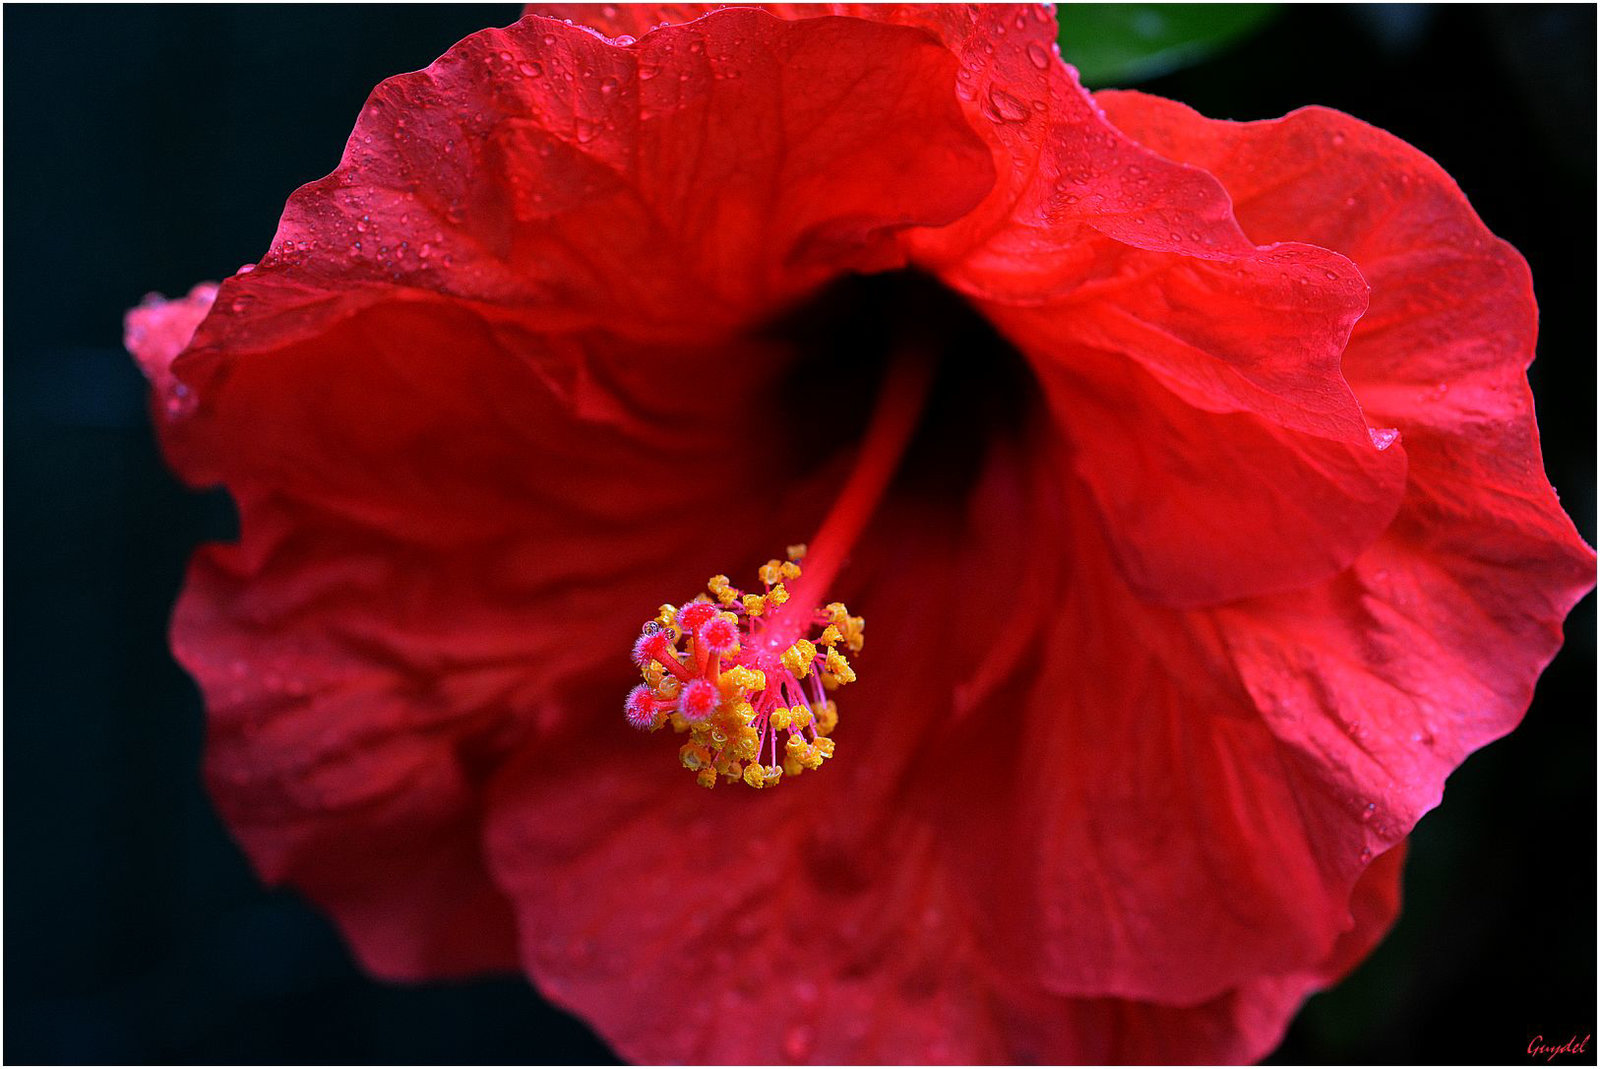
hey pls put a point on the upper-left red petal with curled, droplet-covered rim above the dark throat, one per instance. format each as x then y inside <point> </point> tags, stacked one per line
<point>495,182</point>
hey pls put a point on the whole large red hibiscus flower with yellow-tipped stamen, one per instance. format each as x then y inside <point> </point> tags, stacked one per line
<point>1185,473</point>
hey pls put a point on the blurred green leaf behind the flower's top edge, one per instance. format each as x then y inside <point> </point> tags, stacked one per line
<point>1121,44</point>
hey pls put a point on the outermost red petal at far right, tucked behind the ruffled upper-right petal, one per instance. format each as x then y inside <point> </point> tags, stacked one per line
<point>1431,646</point>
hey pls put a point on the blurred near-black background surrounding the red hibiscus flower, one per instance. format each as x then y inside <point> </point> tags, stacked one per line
<point>153,148</point>
